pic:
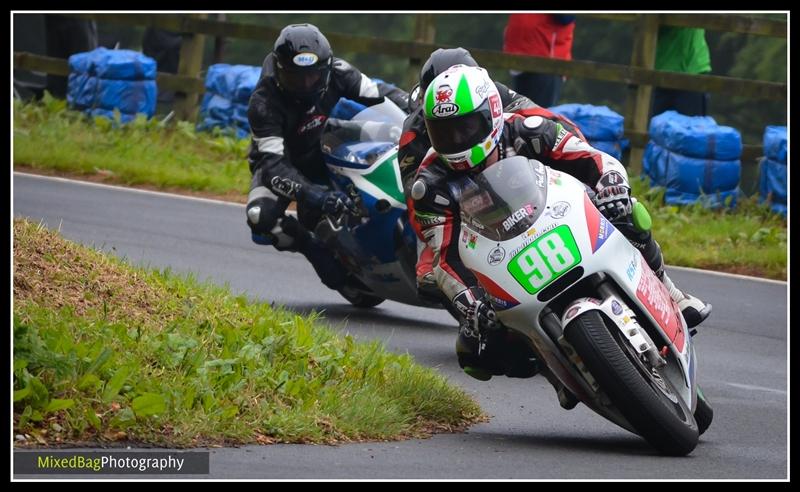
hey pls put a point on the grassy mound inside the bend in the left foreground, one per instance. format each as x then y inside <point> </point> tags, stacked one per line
<point>107,352</point>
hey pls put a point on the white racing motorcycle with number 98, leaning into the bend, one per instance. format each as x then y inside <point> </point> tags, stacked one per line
<point>599,320</point>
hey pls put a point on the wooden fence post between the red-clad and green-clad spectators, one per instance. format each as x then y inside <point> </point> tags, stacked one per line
<point>637,105</point>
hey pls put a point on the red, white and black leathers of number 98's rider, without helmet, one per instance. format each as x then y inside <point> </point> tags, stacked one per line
<point>438,217</point>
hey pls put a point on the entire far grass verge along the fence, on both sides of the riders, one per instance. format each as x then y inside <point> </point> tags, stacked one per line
<point>749,240</point>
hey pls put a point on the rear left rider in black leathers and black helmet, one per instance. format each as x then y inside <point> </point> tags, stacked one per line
<point>301,82</point>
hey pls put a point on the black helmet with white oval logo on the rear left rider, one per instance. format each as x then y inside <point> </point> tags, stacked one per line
<point>303,61</point>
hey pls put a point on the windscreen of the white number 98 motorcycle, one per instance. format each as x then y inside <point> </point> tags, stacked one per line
<point>505,199</point>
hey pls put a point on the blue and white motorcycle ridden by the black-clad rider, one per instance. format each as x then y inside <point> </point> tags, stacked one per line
<point>375,242</point>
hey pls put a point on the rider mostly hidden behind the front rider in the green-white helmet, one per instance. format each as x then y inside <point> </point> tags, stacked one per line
<point>414,141</point>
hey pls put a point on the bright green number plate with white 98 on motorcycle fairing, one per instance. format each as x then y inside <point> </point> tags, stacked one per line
<point>545,259</point>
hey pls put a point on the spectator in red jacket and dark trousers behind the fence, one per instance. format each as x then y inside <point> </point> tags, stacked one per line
<point>547,35</point>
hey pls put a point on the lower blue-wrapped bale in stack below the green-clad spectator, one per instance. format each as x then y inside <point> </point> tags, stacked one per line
<point>687,178</point>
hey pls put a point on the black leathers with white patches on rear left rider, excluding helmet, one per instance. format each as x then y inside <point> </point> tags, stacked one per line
<point>285,148</point>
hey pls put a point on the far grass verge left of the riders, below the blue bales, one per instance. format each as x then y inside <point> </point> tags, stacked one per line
<point>47,136</point>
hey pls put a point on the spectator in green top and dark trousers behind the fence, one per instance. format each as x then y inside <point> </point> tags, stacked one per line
<point>681,49</point>
